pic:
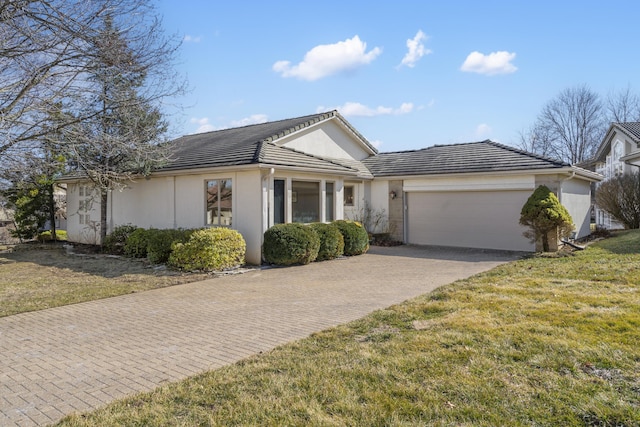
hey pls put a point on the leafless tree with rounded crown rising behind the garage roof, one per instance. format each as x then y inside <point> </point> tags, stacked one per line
<point>569,128</point>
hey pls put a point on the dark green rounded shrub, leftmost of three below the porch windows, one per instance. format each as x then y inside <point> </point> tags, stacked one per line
<point>288,244</point>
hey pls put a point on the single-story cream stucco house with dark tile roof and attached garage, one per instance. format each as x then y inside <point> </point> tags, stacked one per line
<point>319,168</point>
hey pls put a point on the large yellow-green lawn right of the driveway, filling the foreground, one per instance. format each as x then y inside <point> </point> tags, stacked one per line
<point>543,341</point>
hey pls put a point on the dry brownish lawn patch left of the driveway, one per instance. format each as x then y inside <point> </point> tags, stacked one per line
<point>45,276</point>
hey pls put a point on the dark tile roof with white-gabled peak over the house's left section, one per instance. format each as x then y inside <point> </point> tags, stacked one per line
<point>253,144</point>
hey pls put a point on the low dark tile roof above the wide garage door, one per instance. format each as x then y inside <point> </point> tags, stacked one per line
<point>484,156</point>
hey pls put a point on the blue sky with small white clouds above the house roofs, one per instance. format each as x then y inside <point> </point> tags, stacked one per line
<point>406,74</point>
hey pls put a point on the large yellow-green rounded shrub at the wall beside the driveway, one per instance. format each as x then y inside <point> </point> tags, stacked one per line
<point>209,249</point>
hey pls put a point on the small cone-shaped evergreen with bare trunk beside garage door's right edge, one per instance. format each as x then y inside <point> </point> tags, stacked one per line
<point>544,213</point>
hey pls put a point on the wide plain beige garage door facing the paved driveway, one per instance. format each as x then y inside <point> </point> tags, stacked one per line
<point>472,219</point>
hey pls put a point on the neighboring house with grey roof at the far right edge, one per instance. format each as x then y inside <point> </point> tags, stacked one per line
<point>618,154</point>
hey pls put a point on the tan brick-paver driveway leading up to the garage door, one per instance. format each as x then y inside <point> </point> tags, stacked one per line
<point>83,356</point>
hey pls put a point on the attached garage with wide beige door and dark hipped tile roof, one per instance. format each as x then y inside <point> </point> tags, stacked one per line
<point>470,195</point>
